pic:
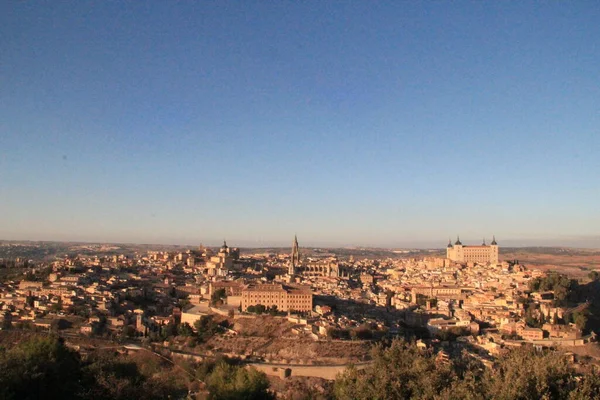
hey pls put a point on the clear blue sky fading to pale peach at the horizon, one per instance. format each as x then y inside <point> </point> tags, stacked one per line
<point>353,123</point>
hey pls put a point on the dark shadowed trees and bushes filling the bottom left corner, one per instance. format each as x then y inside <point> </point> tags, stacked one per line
<point>44,368</point>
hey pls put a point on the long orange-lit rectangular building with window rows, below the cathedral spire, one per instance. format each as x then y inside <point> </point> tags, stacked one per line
<point>286,298</point>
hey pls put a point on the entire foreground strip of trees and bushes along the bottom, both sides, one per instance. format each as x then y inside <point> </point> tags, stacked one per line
<point>45,368</point>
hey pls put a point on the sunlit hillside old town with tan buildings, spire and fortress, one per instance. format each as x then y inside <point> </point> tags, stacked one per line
<point>300,316</point>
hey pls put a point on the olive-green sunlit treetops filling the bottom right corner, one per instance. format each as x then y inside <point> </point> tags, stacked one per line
<point>401,371</point>
